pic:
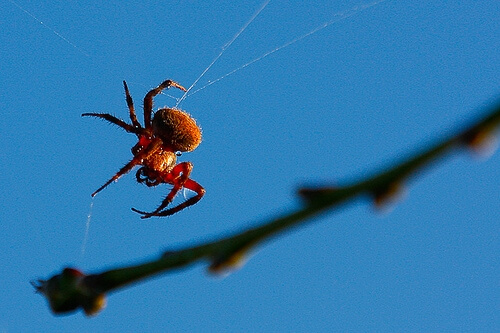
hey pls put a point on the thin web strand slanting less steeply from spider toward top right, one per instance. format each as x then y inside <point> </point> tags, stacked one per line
<point>338,17</point>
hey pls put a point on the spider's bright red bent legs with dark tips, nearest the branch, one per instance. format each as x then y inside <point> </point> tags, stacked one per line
<point>179,177</point>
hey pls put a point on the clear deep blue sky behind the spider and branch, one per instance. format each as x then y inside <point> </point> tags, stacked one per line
<point>330,108</point>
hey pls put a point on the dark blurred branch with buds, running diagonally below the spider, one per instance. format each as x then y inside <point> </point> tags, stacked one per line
<point>72,289</point>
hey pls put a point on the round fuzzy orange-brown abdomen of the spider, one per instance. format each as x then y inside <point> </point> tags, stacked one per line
<point>177,128</point>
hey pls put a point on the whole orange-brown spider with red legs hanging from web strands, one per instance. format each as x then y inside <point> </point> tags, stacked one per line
<point>170,132</point>
